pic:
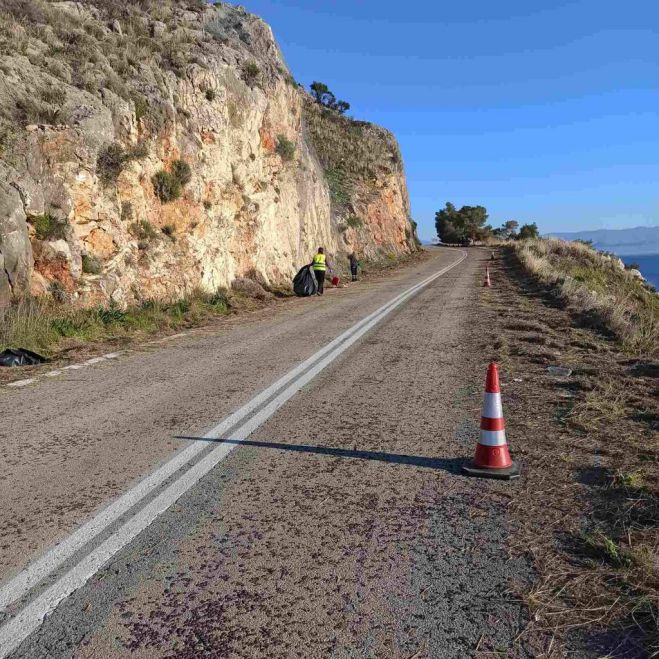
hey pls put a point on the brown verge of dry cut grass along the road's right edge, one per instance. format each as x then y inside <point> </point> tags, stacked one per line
<point>587,510</point>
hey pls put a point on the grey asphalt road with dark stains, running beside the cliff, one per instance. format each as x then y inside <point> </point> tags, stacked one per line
<point>333,523</point>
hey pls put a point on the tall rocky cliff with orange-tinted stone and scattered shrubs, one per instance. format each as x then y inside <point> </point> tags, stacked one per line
<point>149,148</point>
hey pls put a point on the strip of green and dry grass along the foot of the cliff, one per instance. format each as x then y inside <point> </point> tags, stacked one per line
<point>48,327</point>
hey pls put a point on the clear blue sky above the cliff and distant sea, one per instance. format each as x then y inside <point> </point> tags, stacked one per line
<point>539,110</point>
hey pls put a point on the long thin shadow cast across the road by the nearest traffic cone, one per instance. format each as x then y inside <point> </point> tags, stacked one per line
<point>445,464</point>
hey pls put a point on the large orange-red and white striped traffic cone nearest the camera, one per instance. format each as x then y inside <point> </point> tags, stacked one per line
<point>492,458</point>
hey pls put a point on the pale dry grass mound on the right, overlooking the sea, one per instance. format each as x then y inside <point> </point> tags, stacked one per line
<point>596,288</point>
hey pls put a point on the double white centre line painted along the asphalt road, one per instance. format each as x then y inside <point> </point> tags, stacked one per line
<point>31,617</point>
